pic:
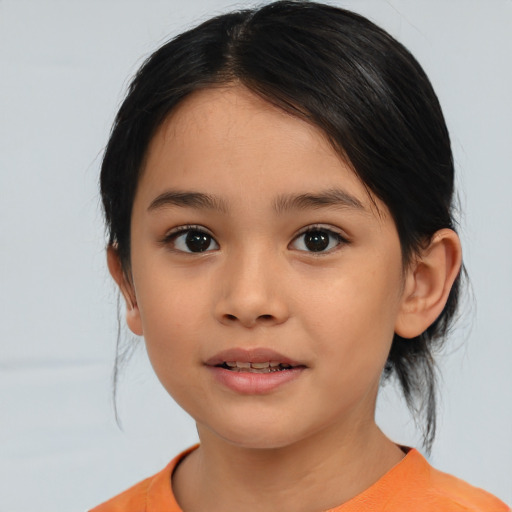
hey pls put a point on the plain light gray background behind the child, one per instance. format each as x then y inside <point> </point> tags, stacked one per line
<point>64,66</point>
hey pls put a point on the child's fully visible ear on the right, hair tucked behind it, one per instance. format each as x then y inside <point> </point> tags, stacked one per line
<point>428,282</point>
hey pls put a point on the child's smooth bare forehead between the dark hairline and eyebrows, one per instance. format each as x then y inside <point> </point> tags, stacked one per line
<point>230,142</point>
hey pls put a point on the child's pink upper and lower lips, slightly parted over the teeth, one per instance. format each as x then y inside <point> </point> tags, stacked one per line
<point>247,383</point>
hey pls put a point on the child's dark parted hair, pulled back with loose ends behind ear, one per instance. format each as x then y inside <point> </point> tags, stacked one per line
<point>340,72</point>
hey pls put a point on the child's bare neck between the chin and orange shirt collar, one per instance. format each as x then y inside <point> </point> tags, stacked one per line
<point>319,473</point>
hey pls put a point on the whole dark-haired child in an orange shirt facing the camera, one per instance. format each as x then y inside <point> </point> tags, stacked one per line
<point>278,189</point>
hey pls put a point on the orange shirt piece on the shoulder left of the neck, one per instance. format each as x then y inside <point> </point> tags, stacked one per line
<point>153,494</point>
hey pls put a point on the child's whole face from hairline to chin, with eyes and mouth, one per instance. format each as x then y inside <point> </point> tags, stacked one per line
<point>265,280</point>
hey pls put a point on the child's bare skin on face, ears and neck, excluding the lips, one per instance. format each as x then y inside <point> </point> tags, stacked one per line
<point>312,443</point>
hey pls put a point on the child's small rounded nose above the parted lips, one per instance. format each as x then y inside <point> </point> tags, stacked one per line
<point>251,292</point>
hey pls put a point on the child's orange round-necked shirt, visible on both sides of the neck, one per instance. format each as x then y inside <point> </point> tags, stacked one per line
<point>411,485</point>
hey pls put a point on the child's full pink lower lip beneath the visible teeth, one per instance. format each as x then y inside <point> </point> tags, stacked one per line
<point>248,383</point>
